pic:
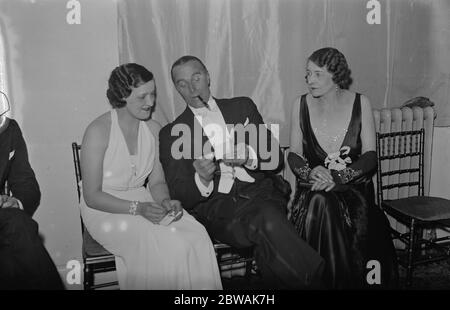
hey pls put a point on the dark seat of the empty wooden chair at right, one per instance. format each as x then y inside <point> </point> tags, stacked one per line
<point>423,208</point>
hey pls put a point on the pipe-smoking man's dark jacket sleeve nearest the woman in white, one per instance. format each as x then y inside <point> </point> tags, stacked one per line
<point>179,173</point>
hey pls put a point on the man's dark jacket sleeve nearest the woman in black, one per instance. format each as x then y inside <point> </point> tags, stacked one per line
<point>270,157</point>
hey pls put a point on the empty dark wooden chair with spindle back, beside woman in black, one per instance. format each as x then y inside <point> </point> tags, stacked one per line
<point>401,168</point>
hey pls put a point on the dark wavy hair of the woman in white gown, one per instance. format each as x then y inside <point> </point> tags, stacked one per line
<point>121,81</point>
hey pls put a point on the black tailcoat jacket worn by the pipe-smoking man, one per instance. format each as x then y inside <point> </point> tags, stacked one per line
<point>180,173</point>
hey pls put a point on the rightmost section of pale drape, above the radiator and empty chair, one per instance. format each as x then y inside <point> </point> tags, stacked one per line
<point>419,53</point>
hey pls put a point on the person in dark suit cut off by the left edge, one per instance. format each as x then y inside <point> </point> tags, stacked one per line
<point>24,262</point>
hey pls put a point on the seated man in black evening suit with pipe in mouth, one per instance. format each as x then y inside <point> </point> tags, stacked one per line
<point>217,162</point>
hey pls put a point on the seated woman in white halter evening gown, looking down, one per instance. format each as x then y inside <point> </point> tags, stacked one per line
<point>119,151</point>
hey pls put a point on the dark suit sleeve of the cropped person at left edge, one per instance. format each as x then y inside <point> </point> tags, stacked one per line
<point>21,178</point>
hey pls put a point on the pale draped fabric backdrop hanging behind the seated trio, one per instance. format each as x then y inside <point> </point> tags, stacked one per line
<point>258,48</point>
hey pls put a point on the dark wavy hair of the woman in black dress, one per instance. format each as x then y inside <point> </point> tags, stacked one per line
<point>335,63</point>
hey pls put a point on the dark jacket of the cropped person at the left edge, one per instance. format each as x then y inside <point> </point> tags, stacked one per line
<point>16,170</point>
